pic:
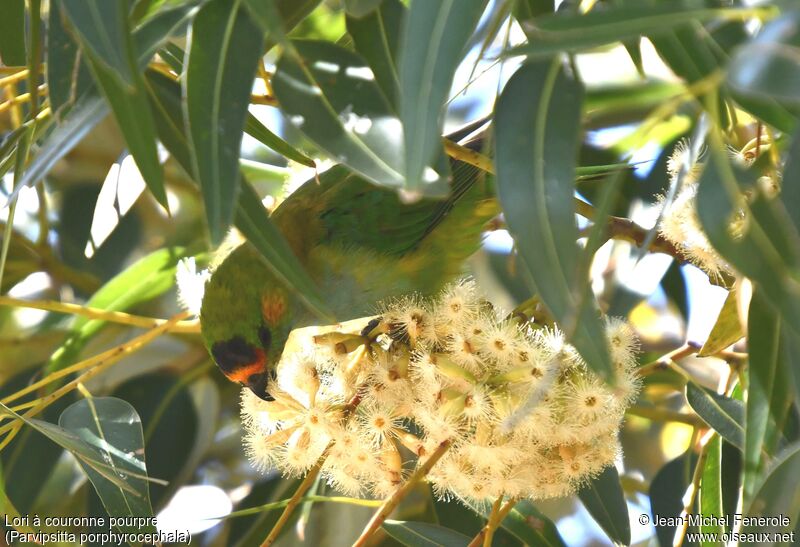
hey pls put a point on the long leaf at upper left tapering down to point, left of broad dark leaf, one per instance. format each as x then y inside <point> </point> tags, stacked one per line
<point>103,32</point>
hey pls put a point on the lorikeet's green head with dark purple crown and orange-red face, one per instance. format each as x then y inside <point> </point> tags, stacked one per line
<point>246,318</point>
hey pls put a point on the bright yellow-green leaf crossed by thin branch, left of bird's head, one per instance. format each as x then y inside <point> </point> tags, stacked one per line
<point>149,277</point>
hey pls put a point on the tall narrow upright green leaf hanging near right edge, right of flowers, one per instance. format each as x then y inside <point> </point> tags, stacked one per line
<point>769,394</point>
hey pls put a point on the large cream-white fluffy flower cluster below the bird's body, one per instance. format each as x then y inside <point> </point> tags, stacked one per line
<point>524,415</point>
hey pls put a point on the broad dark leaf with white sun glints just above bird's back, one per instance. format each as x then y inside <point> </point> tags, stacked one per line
<point>329,94</point>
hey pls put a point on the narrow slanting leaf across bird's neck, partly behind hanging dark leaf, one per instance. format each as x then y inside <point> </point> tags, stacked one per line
<point>251,217</point>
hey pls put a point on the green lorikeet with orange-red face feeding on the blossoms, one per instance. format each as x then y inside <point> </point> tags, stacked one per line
<point>361,245</point>
